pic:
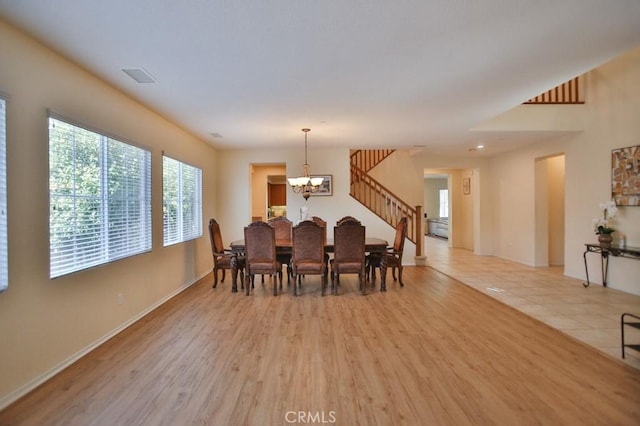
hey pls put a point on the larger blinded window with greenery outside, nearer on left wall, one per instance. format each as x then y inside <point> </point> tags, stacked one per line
<point>99,198</point>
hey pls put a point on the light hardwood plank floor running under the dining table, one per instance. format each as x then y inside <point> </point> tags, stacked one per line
<point>435,351</point>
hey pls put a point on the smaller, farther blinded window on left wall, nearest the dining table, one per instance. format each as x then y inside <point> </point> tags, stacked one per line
<point>181,201</point>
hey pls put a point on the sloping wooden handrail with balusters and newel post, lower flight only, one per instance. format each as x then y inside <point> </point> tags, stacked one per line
<point>386,205</point>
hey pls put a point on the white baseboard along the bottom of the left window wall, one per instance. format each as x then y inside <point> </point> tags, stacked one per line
<point>40,379</point>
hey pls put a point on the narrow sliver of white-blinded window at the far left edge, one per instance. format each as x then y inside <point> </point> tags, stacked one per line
<point>4,255</point>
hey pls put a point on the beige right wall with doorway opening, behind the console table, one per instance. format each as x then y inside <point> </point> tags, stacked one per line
<point>610,121</point>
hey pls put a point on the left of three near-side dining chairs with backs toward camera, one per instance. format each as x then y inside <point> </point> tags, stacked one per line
<point>260,252</point>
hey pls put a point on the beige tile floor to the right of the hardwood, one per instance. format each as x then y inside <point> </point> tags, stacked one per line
<point>591,315</point>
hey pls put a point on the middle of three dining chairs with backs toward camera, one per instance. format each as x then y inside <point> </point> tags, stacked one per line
<point>308,256</point>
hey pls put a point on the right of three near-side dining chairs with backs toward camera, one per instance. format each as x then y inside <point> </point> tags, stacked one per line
<point>348,253</point>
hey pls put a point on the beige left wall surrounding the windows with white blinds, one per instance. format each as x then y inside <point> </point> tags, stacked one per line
<point>44,323</point>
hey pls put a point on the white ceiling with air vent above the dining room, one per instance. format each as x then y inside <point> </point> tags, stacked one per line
<point>359,73</point>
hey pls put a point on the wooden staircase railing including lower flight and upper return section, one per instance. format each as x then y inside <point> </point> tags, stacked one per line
<point>380,200</point>
